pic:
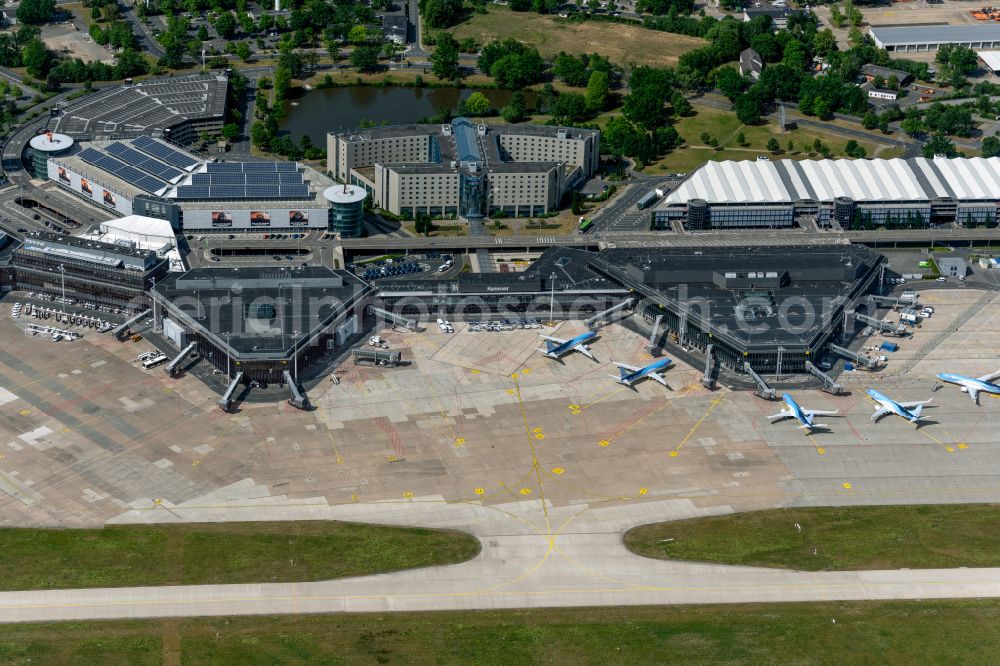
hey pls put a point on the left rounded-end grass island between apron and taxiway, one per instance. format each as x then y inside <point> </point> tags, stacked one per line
<point>189,554</point>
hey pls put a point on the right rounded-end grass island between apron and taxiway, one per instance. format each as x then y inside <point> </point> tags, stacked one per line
<point>833,538</point>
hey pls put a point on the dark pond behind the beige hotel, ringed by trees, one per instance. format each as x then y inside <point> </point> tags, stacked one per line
<point>324,110</point>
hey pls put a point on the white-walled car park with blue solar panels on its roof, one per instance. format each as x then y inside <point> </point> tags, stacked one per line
<point>150,177</point>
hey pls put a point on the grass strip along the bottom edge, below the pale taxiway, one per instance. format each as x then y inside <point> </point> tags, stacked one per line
<point>925,632</point>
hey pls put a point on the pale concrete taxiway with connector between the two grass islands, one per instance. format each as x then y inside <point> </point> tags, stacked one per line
<point>560,556</point>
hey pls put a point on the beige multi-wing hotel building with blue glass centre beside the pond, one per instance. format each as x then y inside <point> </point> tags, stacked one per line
<point>461,169</point>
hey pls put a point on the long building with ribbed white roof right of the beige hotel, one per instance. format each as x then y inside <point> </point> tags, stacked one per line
<point>772,194</point>
